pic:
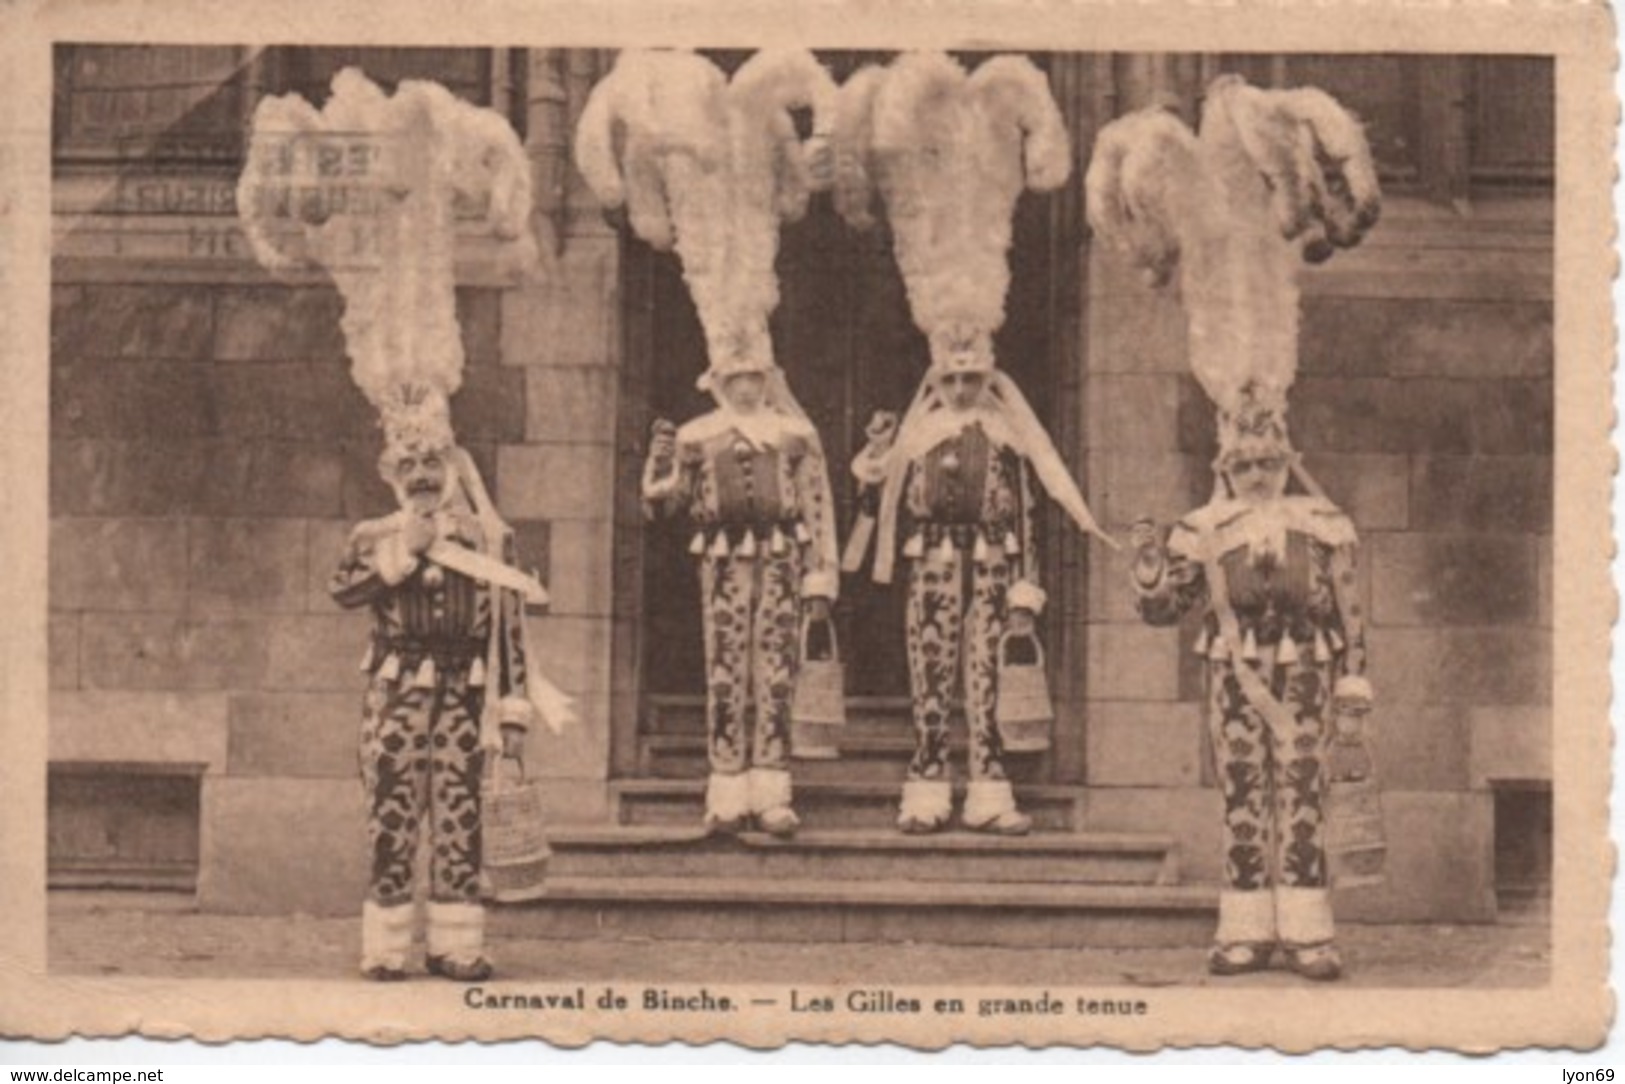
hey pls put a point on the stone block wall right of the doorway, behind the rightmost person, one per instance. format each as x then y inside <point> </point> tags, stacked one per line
<point>1424,407</point>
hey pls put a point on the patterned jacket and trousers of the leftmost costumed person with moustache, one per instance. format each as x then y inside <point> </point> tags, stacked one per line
<point>440,648</point>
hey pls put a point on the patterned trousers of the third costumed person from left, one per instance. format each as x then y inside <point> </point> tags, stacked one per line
<point>955,622</point>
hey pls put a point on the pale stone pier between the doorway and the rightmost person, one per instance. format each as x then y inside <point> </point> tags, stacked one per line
<point>1145,745</point>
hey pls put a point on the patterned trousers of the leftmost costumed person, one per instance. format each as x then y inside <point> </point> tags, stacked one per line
<point>420,761</point>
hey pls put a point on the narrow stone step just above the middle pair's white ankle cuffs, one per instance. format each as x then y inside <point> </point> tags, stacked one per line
<point>865,758</point>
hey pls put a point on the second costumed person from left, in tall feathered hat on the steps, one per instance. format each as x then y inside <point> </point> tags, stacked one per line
<point>713,167</point>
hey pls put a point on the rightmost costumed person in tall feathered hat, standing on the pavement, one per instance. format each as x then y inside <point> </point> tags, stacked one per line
<point>1273,180</point>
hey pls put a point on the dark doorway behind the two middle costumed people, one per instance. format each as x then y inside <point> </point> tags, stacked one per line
<point>849,345</point>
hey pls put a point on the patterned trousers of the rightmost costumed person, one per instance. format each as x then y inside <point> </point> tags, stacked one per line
<point>1273,784</point>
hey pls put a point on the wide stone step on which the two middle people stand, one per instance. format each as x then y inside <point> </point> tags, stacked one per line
<point>867,856</point>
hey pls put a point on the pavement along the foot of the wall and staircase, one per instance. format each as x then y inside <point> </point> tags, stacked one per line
<point>163,937</point>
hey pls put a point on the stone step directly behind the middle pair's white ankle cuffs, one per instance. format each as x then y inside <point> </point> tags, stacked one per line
<point>831,805</point>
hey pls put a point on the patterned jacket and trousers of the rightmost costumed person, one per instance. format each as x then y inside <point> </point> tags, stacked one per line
<point>1289,573</point>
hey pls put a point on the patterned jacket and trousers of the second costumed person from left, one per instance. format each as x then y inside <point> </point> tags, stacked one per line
<point>758,495</point>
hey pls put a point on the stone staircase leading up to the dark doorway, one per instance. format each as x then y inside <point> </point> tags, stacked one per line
<point>851,877</point>
